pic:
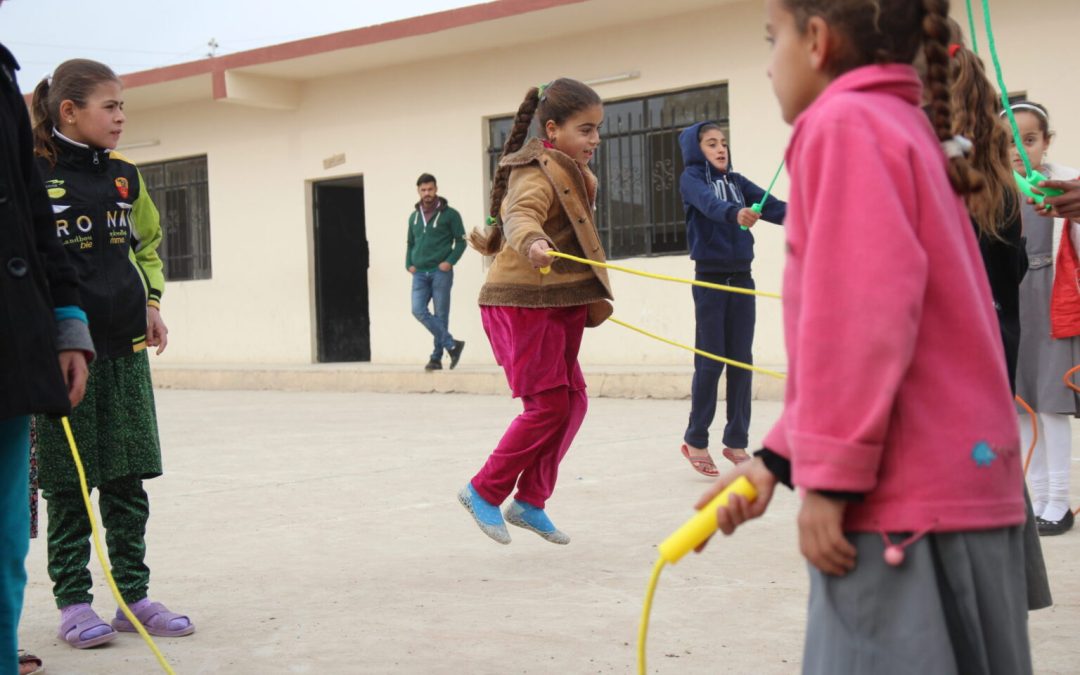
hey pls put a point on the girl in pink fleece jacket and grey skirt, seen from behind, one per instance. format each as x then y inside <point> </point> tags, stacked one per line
<point>898,425</point>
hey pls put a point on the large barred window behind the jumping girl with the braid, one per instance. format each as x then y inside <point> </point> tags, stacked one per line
<point>639,208</point>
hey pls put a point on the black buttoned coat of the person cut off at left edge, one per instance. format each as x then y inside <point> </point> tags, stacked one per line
<point>35,276</point>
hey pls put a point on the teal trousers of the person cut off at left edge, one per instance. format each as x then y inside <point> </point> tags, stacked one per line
<point>15,534</point>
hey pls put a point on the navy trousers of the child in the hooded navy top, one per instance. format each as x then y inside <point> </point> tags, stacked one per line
<point>726,329</point>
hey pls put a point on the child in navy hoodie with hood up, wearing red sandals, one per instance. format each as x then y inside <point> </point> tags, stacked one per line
<point>718,204</point>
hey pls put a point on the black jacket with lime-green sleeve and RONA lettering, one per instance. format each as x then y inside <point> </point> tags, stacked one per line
<point>110,227</point>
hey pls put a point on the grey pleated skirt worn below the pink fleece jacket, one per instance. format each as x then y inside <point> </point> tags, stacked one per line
<point>956,606</point>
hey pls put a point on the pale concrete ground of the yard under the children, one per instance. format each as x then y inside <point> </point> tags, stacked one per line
<point>319,533</point>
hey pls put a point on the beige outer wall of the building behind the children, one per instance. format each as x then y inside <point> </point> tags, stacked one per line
<point>397,123</point>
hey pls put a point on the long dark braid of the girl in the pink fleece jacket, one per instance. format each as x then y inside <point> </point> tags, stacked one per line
<point>937,36</point>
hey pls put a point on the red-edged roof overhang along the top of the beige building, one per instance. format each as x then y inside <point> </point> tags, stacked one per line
<point>272,77</point>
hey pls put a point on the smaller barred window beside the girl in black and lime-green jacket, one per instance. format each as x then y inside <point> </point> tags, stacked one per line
<point>180,191</point>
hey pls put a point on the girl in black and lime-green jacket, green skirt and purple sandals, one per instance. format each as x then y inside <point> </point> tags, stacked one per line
<point>110,227</point>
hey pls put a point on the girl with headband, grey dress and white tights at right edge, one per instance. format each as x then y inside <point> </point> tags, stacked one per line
<point>1049,346</point>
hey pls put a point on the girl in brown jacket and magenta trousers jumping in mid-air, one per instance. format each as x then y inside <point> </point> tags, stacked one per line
<point>543,199</point>
